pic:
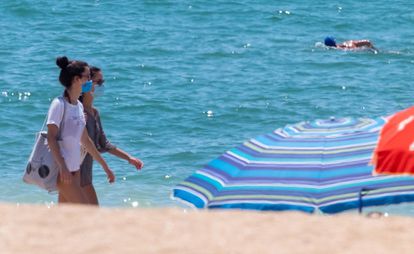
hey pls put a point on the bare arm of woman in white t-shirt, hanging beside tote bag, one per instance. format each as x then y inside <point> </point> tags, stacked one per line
<point>52,133</point>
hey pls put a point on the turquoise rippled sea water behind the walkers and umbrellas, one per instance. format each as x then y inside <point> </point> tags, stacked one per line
<point>188,80</point>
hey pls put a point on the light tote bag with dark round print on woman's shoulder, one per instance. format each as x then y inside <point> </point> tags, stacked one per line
<point>41,169</point>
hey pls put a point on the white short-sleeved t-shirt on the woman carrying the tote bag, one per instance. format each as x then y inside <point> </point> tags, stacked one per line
<point>72,129</point>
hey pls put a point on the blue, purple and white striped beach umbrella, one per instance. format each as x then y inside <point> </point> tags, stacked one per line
<point>322,164</point>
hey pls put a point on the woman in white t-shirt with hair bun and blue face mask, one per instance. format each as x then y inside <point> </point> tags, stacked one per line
<point>66,149</point>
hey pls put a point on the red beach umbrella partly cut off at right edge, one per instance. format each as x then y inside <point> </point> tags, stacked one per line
<point>394,153</point>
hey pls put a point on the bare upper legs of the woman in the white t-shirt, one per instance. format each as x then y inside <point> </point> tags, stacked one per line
<point>72,192</point>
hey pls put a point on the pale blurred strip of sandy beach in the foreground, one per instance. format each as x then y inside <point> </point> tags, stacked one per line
<point>79,229</point>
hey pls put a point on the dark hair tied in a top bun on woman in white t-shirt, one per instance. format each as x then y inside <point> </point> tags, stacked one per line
<point>69,70</point>
